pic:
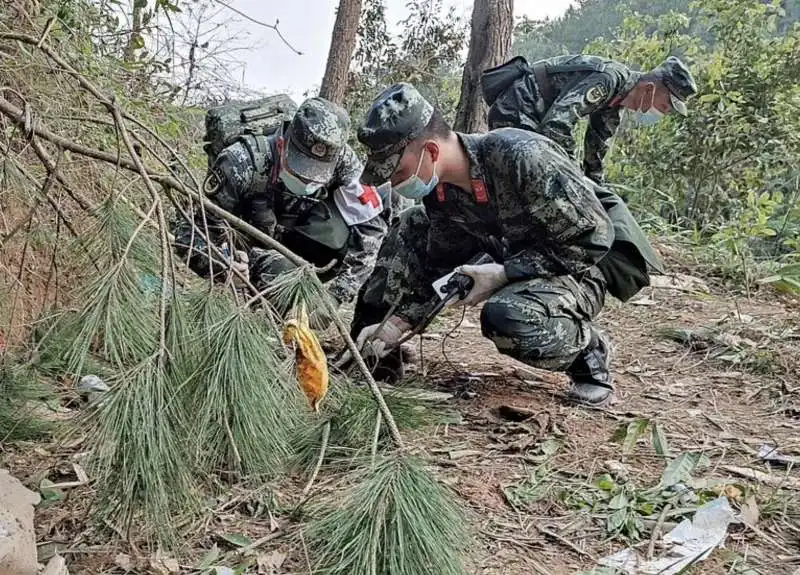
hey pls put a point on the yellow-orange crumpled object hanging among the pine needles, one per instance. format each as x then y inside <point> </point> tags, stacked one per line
<point>312,365</point>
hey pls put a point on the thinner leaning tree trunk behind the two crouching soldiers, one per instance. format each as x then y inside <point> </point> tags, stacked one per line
<point>343,43</point>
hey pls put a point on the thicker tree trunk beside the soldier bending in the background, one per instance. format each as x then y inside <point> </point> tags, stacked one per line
<point>489,45</point>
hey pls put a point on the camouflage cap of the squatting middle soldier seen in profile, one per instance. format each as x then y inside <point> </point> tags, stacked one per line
<point>398,116</point>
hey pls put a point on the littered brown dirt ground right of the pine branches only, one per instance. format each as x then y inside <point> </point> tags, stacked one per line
<point>724,400</point>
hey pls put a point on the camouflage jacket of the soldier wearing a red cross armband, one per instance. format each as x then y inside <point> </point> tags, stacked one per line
<point>348,217</point>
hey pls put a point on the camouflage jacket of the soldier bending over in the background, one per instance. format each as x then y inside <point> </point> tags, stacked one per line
<point>579,87</point>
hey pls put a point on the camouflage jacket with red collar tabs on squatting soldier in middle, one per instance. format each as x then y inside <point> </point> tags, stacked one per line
<point>530,208</point>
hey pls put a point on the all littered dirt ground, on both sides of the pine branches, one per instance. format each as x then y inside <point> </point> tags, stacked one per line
<point>531,485</point>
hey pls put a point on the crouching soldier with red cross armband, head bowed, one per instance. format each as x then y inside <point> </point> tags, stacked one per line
<point>303,189</point>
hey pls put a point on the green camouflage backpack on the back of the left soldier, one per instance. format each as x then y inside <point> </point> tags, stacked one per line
<point>259,117</point>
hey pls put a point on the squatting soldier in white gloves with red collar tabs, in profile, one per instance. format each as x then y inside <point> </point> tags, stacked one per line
<point>558,240</point>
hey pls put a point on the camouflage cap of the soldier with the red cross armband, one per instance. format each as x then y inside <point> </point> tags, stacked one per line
<point>316,136</point>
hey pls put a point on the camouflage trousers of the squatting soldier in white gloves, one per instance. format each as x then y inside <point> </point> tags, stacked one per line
<point>543,322</point>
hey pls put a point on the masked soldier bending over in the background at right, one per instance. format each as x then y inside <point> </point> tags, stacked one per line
<point>552,95</point>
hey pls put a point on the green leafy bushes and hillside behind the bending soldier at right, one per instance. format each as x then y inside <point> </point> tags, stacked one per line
<point>726,177</point>
